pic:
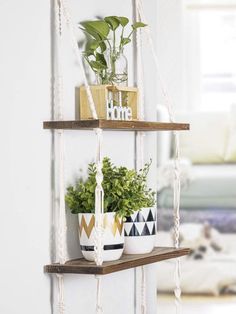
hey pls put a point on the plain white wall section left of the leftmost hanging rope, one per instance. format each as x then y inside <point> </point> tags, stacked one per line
<point>25,177</point>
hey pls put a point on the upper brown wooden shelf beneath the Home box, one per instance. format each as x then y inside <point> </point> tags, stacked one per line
<point>115,125</point>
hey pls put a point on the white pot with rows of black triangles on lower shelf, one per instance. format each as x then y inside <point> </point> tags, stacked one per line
<point>140,231</point>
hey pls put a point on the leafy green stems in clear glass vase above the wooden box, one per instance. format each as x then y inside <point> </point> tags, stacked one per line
<point>104,49</point>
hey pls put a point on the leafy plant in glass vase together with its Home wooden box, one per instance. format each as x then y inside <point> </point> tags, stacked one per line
<point>104,53</point>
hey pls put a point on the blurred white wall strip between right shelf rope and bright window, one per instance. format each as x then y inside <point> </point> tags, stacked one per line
<point>170,49</point>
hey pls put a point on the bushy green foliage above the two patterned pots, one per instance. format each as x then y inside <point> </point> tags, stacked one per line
<point>125,190</point>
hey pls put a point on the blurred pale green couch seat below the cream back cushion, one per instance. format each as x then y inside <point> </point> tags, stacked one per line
<point>212,186</point>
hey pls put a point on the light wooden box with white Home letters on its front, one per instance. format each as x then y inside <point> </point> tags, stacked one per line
<point>111,102</point>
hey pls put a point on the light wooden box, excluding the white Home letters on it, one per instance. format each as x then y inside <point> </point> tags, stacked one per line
<point>101,94</point>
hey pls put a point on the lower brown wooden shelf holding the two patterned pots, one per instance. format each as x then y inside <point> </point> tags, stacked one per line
<point>81,266</point>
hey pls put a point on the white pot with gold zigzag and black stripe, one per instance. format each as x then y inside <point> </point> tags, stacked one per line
<point>113,236</point>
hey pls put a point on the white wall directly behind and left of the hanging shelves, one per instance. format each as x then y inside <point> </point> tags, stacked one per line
<point>25,84</point>
